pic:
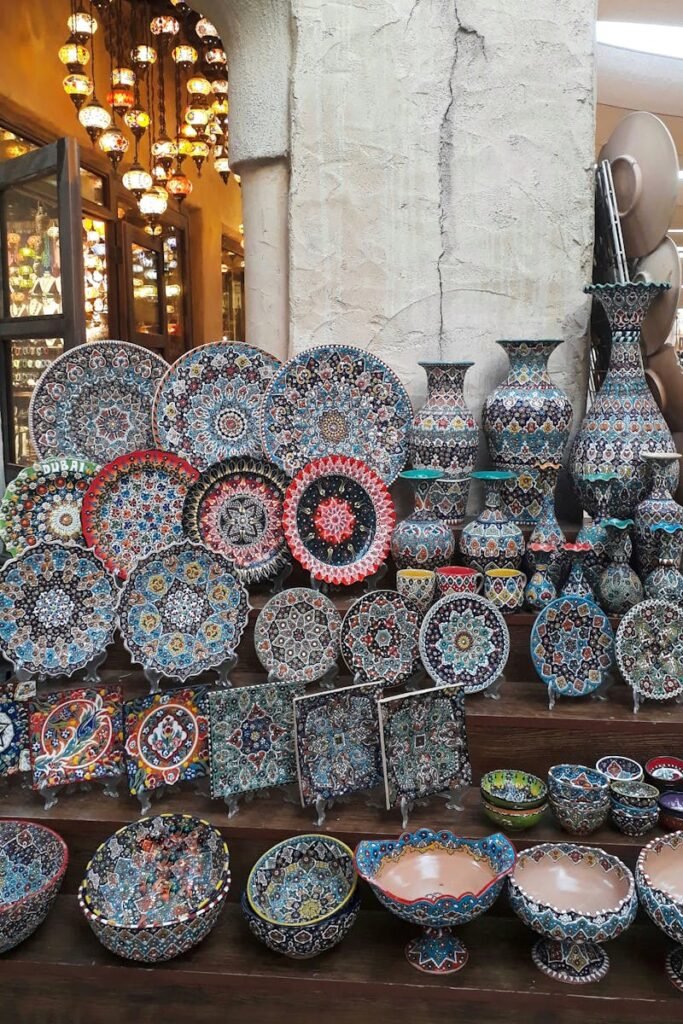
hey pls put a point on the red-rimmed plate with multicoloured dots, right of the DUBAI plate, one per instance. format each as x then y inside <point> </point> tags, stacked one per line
<point>135,506</point>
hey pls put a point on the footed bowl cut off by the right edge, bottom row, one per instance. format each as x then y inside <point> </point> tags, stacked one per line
<point>660,882</point>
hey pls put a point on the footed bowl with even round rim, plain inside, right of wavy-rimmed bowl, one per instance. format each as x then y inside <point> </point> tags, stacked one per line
<point>577,898</point>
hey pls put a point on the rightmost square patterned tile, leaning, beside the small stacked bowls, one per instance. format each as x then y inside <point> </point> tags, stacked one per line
<point>424,744</point>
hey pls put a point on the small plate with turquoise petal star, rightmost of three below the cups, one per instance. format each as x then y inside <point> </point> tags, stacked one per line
<point>464,642</point>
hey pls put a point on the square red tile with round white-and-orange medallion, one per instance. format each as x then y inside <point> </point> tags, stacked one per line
<point>167,739</point>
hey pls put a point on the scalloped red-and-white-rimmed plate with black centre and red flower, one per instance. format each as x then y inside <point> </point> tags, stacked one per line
<point>338,518</point>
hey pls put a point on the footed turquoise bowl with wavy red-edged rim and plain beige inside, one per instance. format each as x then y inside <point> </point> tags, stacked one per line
<point>437,880</point>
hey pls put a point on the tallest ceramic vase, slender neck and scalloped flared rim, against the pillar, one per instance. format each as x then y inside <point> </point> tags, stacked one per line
<point>623,419</point>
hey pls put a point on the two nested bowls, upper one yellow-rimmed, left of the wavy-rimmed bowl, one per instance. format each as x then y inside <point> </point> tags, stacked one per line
<point>302,897</point>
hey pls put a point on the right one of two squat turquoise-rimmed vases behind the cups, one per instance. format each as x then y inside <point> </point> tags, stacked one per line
<point>493,541</point>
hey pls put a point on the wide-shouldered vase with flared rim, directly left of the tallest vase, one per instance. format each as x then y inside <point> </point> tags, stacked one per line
<point>527,420</point>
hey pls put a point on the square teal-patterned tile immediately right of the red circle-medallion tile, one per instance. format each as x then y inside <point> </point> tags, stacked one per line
<point>252,738</point>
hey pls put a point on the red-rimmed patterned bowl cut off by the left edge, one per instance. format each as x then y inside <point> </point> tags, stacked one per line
<point>32,867</point>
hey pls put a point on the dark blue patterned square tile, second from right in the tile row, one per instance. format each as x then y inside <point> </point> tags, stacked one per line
<point>337,742</point>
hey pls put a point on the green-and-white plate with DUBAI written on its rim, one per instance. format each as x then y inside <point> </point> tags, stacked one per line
<point>44,503</point>
